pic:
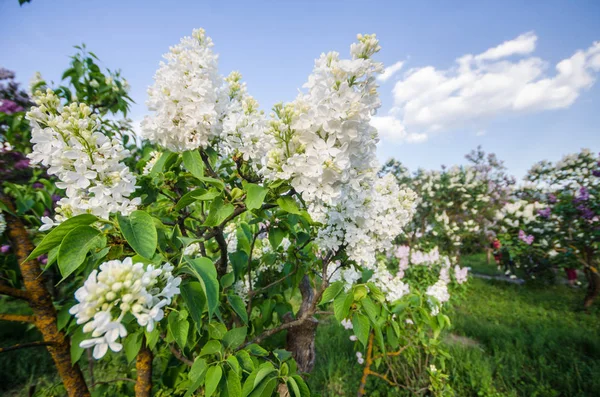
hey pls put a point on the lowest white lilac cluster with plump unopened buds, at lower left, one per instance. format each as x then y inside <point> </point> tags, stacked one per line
<point>118,289</point>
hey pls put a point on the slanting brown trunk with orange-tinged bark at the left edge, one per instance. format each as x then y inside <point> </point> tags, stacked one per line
<point>40,302</point>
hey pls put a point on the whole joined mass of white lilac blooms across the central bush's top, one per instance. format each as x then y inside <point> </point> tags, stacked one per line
<point>322,142</point>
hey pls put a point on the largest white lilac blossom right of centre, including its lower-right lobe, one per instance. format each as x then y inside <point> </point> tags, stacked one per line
<point>325,146</point>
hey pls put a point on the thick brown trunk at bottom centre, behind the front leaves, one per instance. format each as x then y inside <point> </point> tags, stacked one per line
<point>301,337</point>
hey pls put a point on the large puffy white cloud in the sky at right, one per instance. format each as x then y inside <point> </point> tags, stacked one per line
<point>485,86</point>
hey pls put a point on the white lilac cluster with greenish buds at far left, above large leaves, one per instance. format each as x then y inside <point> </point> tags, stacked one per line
<point>86,162</point>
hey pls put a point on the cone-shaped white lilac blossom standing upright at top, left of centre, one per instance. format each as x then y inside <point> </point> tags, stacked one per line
<point>187,98</point>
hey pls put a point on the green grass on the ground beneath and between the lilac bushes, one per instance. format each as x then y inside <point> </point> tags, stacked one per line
<point>507,340</point>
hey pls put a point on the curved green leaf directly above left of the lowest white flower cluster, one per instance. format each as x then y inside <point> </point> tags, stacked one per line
<point>75,246</point>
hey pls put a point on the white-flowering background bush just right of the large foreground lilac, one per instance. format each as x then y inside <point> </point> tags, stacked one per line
<point>457,205</point>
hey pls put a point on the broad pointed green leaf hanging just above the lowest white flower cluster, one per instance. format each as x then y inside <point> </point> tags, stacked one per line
<point>140,232</point>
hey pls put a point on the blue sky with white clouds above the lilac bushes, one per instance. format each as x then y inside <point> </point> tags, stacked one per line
<point>512,100</point>
